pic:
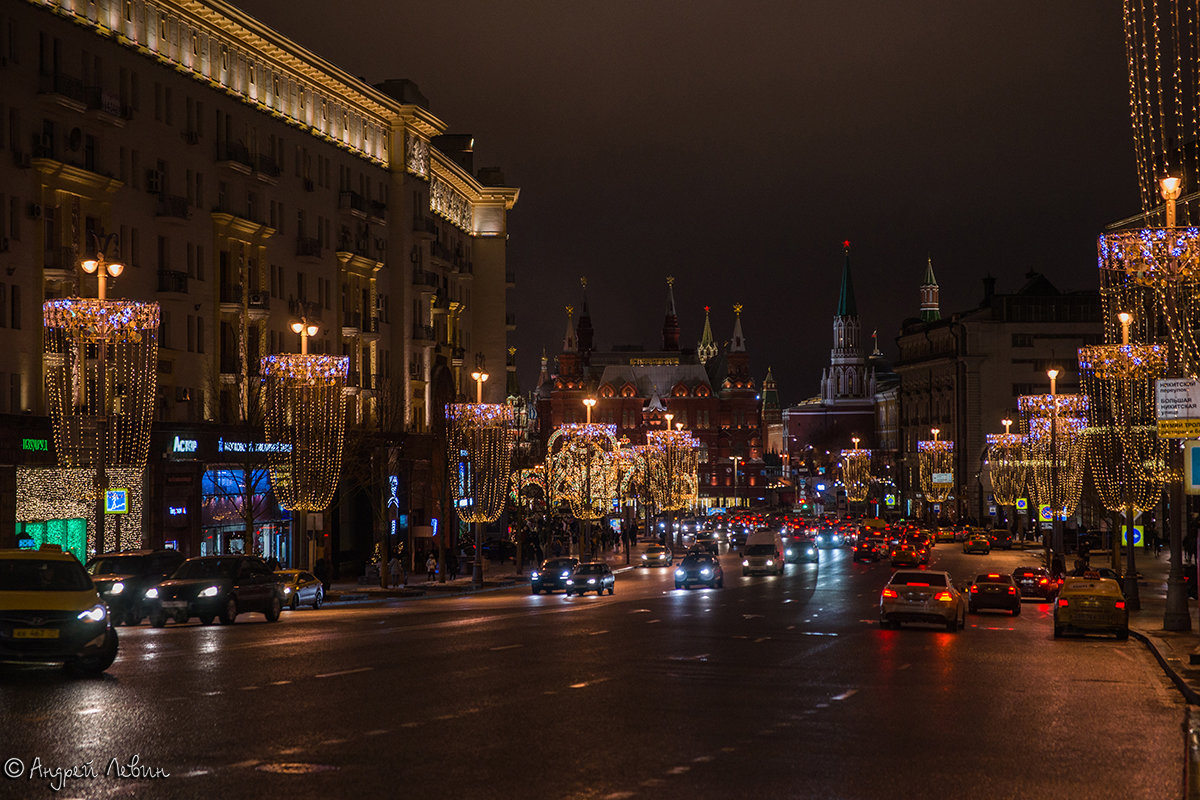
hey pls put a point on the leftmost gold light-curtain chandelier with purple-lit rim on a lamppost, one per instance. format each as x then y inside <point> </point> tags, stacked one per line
<point>76,332</point>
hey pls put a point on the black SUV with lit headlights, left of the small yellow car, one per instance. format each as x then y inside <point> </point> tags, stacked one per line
<point>215,587</point>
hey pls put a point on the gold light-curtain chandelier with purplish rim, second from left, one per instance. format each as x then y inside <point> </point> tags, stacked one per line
<point>305,428</point>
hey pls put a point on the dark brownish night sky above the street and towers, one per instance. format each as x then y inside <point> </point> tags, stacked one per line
<point>736,146</point>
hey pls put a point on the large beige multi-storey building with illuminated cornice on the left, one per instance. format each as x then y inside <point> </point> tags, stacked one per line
<point>245,184</point>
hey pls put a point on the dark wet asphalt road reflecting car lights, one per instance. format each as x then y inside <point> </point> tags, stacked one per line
<point>772,688</point>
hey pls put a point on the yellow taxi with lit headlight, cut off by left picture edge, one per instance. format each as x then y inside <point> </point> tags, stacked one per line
<point>52,612</point>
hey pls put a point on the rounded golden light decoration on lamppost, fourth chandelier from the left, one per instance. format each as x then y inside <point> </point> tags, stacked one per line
<point>581,468</point>
